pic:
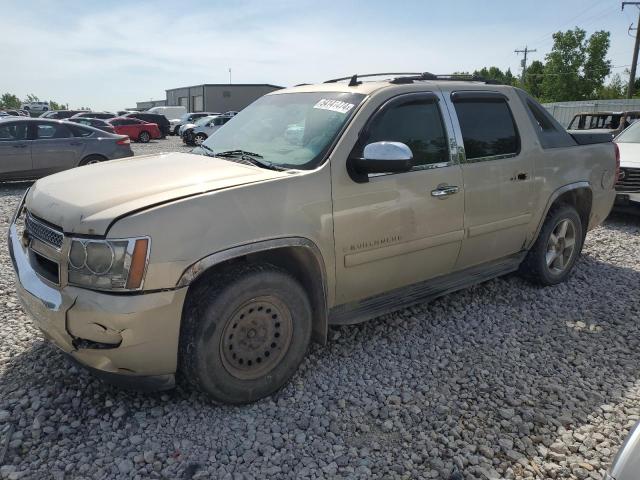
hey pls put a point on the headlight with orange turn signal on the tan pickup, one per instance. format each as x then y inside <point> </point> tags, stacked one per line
<point>108,264</point>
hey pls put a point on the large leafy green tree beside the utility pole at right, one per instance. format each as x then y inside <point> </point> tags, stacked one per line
<point>576,67</point>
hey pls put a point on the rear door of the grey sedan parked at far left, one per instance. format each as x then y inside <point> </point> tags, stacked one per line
<point>54,148</point>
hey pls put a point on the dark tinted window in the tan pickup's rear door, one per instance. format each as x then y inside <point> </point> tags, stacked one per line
<point>488,128</point>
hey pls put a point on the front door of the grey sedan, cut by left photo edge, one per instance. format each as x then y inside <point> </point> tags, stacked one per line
<point>15,150</point>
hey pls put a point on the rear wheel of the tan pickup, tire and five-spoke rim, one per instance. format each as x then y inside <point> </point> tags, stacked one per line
<point>543,264</point>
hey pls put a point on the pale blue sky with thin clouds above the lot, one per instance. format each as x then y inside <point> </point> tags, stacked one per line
<point>106,55</point>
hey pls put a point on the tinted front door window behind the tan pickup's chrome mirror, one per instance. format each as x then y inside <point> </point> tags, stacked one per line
<point>417,124</point>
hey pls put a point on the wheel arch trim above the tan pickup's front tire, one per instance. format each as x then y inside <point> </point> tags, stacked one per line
<point>297,255</point>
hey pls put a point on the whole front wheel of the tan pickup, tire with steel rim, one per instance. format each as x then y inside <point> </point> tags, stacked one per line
<point>270,316</point>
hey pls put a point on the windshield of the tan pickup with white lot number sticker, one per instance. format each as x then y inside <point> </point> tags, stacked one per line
<point>290,130</point>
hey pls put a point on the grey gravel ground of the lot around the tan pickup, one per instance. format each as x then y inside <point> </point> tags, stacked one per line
<point>504,380</point>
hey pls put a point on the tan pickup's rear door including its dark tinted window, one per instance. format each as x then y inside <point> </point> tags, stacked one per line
<point>498,177</point>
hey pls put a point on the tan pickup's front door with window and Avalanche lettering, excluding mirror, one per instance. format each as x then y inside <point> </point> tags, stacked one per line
<point>393,230</point>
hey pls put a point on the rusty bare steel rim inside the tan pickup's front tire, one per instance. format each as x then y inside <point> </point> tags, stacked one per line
<point>256,338</point>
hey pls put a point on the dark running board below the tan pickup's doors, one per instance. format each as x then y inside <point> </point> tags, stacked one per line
<point>357,312</point>
